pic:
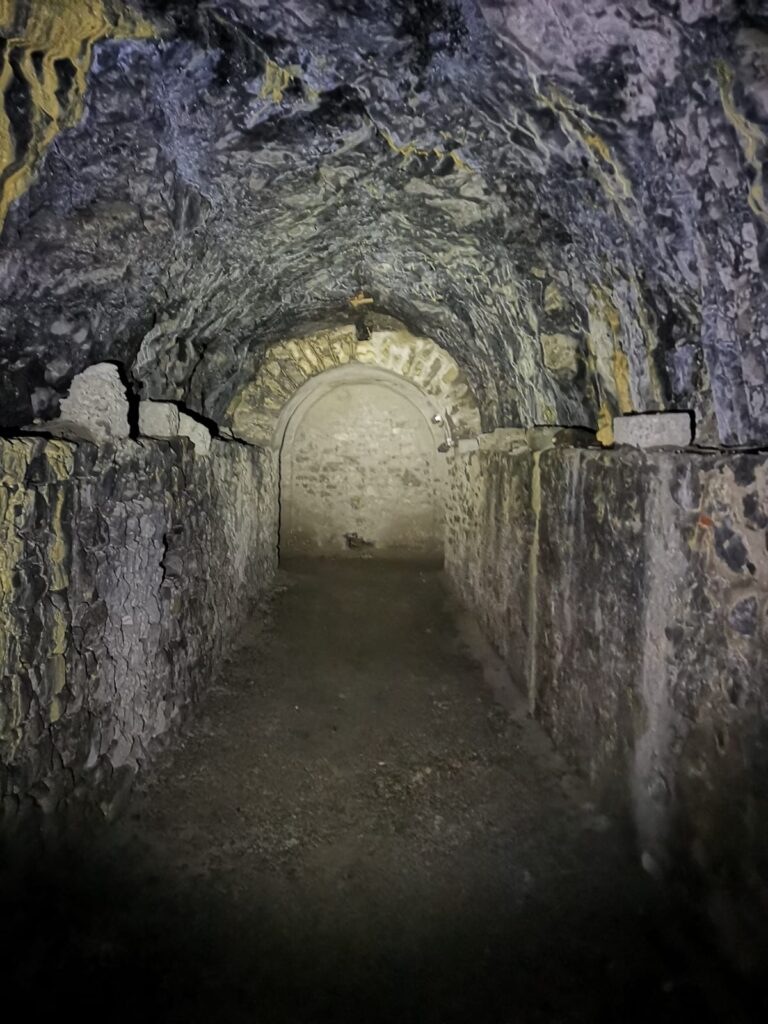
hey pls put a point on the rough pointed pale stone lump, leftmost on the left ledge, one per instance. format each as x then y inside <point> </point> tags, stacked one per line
<point>96,409</point>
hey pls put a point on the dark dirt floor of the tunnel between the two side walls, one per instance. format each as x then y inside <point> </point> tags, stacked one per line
<point>362,825</point>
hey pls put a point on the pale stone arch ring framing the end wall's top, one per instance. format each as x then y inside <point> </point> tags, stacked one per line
<point>255,413</point>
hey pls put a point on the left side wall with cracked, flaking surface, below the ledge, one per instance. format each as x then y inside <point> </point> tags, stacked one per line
<point>124,573</point>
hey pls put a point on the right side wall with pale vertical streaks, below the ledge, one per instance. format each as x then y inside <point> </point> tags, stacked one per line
<point>629,593</point>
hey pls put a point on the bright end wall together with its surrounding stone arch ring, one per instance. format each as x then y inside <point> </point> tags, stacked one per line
<point>360,428</point>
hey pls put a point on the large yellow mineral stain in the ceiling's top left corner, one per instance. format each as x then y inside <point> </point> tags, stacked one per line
<point>59,30</point>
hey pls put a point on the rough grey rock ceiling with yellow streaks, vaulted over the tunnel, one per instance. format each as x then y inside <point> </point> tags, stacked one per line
<point>515,179</point>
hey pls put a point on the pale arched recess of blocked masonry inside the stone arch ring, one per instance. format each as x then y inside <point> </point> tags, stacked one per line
<point>361,472</point>
